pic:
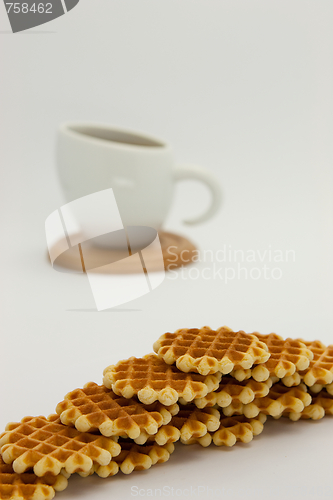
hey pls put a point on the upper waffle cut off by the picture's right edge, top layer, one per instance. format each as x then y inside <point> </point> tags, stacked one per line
<point>320,370</point>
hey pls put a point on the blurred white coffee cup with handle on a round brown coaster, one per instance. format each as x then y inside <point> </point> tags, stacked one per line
<point>139,168</point>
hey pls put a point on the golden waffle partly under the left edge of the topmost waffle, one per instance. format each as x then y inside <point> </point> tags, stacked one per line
<point>151,379</point>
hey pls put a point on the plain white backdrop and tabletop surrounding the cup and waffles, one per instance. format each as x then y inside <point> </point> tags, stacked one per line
<point>244,88</point>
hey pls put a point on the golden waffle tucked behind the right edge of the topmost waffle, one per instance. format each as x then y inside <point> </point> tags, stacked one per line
<point>286,357</point>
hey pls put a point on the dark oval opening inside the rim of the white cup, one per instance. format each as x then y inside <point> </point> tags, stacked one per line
<point>114,135</point>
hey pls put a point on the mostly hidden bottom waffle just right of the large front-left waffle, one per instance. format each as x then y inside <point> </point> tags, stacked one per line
<point>134,457</point>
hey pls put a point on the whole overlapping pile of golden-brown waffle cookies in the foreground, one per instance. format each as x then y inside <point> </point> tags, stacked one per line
<point>199,386</point>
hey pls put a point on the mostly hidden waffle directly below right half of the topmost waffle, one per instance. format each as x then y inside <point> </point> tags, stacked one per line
<point>231,390</point>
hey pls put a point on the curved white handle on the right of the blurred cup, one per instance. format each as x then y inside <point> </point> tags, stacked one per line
<point>195,172</point>
